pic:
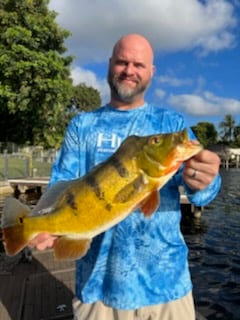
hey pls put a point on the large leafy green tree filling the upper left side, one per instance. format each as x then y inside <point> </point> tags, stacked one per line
<point>35,86</point>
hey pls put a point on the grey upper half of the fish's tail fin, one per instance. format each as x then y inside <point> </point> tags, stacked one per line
<point>12,210</point>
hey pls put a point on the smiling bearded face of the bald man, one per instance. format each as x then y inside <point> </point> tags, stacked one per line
<point>130,72</point>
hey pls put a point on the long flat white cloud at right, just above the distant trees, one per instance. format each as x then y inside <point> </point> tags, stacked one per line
<point>206,104</point>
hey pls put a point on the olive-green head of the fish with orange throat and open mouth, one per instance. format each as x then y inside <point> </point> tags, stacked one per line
<point>164,153</point>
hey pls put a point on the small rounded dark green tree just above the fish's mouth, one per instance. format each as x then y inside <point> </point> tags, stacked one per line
<point>206,133</point>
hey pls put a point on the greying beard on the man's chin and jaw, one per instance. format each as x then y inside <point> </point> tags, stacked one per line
<point>122,92</point>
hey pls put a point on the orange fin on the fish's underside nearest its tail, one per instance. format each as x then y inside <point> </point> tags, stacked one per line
<point>71,249</point>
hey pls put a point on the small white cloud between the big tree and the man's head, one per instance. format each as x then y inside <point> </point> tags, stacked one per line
<point>89,78</point>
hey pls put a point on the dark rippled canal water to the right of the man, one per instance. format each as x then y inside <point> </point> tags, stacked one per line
<point>214,252</point>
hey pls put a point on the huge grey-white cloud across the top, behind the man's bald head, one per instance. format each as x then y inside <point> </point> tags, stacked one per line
<point>170,25</point>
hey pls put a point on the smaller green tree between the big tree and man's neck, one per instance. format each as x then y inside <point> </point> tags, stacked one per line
<point>86,98</point>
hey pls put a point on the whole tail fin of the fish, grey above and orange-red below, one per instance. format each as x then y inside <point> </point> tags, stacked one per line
<point>14,238</point>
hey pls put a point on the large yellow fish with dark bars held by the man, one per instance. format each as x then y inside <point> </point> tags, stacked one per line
<point>78,210</point>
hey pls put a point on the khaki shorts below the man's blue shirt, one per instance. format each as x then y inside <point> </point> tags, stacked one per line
<point>181,309</point>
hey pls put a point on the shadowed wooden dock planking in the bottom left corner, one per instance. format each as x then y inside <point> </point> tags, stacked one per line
<point>40,289</point>
